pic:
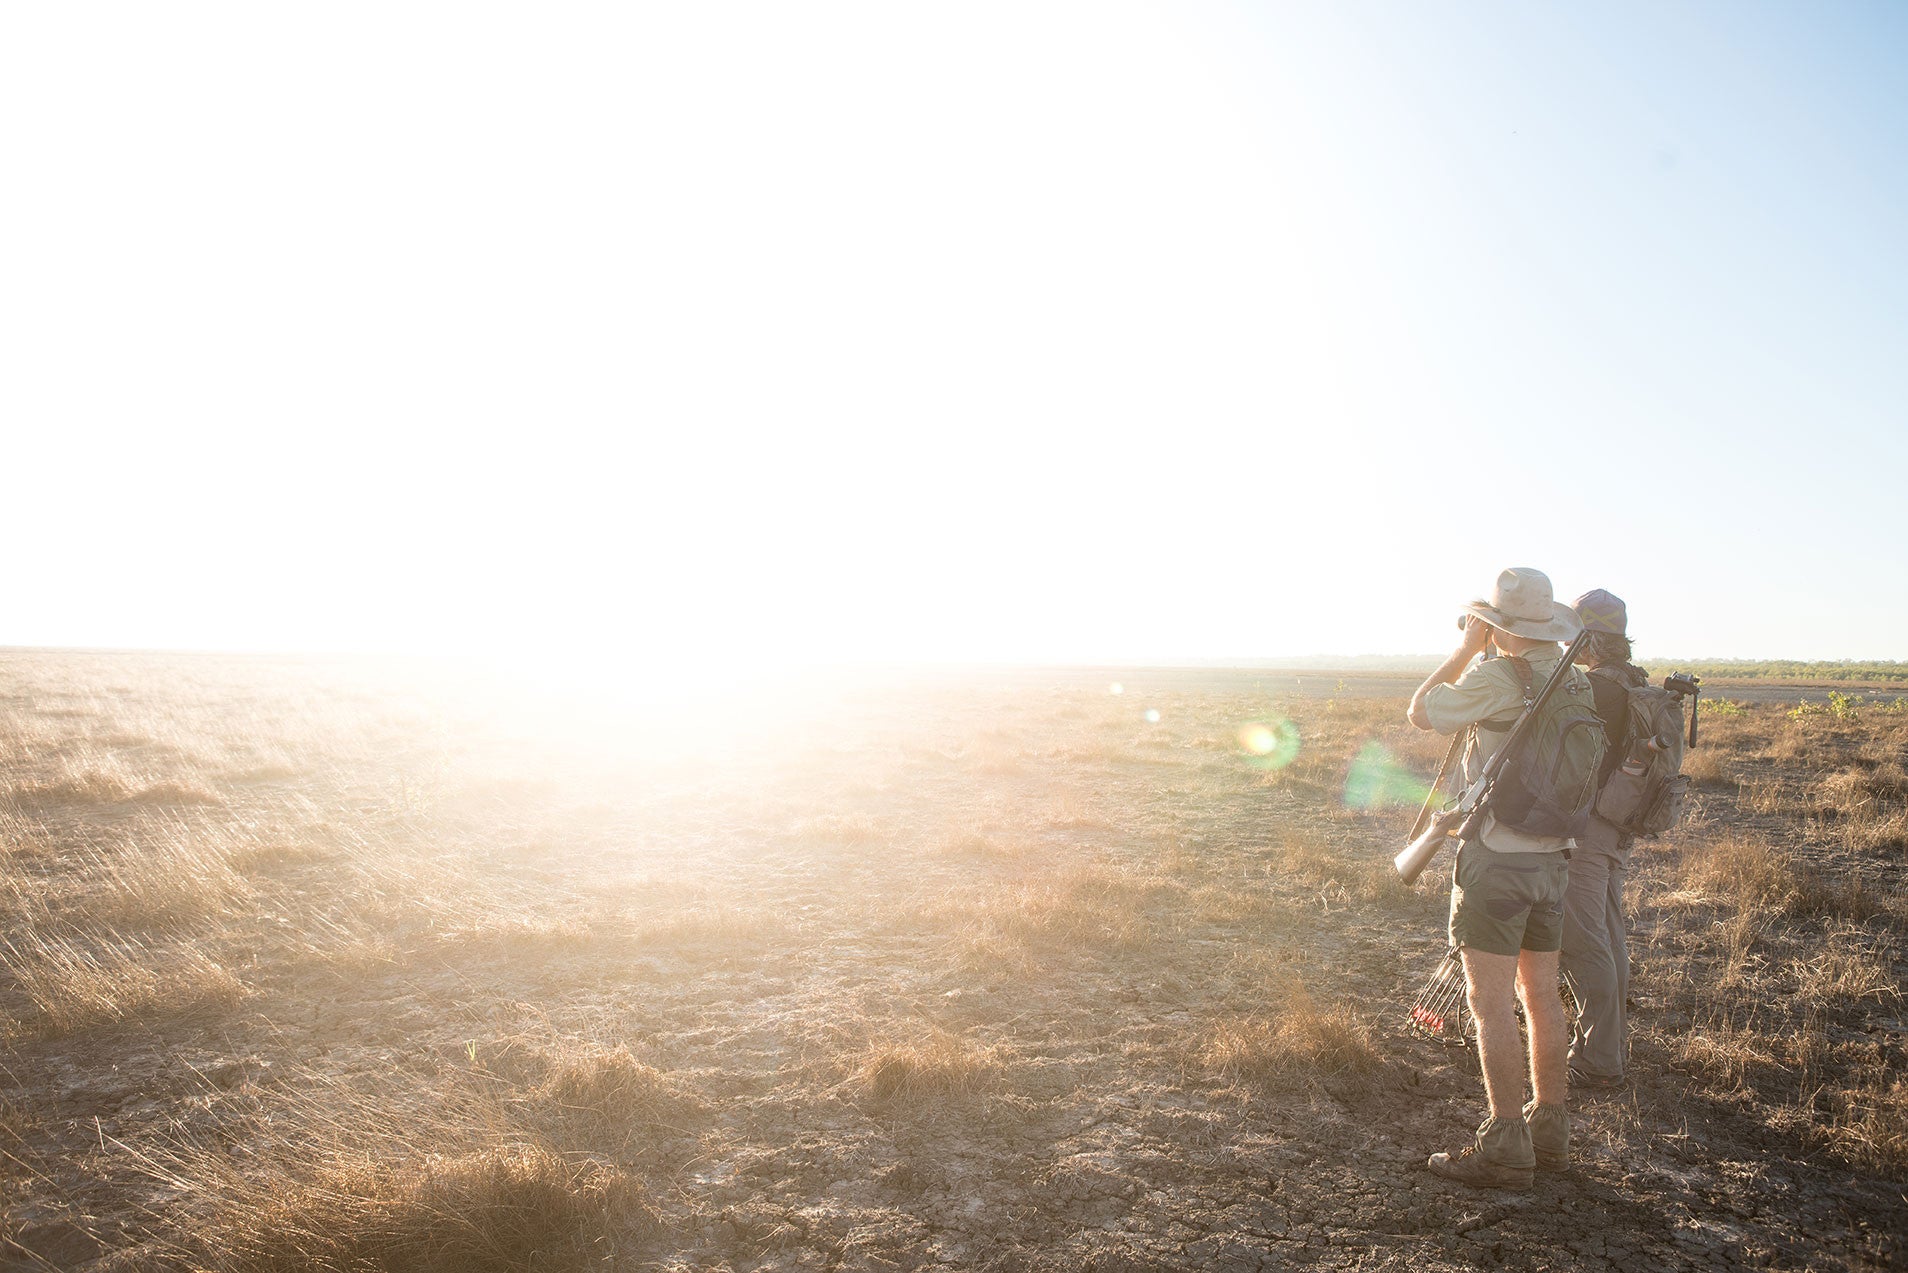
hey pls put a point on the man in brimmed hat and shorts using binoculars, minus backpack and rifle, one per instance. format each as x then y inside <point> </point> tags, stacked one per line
<point>1508,892</point>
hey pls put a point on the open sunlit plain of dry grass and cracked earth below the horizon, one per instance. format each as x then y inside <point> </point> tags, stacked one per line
<point>327,965</point>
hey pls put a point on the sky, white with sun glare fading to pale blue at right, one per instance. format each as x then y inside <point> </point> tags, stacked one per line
<point>1085,333</point>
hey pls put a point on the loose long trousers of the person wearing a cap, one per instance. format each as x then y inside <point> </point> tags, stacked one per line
<point>1596,955</point>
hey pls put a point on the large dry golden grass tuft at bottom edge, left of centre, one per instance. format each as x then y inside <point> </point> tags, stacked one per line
<point>384,1175</point>
